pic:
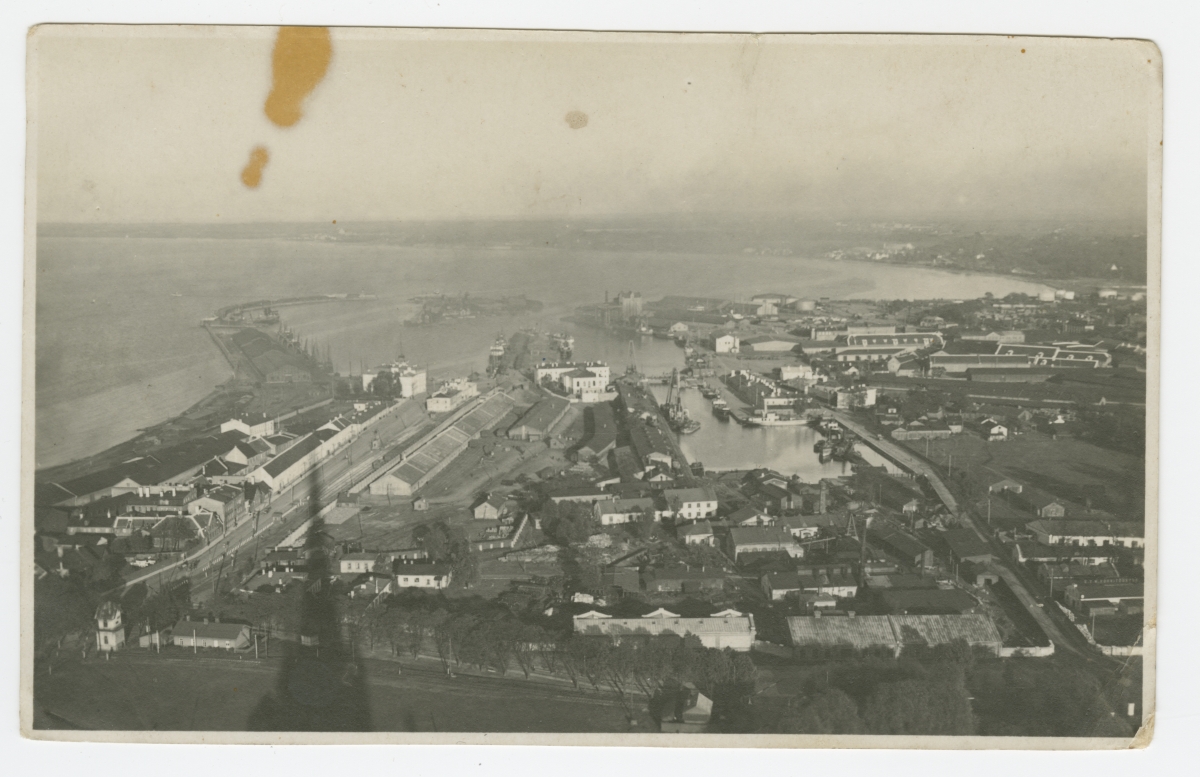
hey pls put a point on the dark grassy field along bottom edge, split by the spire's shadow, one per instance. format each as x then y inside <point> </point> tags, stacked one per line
<point>143,692</point>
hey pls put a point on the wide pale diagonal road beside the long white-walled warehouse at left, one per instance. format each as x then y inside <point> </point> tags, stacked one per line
<point>320,486</point>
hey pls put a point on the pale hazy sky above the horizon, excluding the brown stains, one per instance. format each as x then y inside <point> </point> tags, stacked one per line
<point>158,128</point>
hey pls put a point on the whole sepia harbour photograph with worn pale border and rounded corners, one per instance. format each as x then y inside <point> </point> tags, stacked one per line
<point>667,390</point>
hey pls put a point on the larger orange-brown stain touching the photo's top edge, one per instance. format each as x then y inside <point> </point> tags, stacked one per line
<point>299,62</point>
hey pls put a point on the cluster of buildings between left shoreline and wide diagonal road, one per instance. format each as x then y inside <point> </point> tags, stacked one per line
<point>185,496</point>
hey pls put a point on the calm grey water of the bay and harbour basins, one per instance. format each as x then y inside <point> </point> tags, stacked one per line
<point>117,351</point>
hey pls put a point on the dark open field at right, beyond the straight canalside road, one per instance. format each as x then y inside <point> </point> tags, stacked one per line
<point>1070,469</point>
